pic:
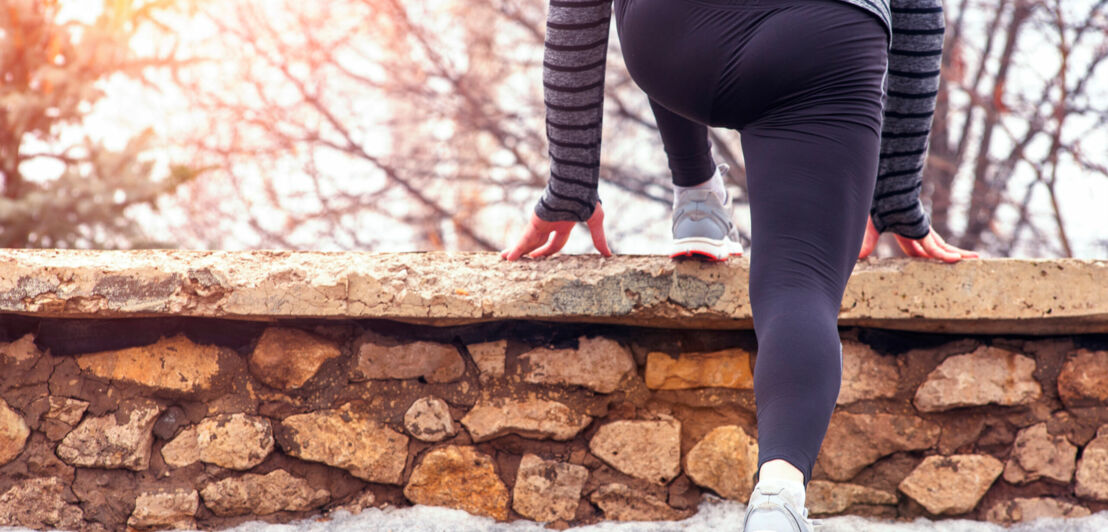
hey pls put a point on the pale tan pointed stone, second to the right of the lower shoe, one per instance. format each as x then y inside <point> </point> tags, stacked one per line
<point>952,485</point>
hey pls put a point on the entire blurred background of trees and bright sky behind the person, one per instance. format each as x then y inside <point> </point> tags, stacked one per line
<point>418,125</point>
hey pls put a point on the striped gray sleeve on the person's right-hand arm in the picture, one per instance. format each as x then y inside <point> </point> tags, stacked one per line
<point>915,62</point>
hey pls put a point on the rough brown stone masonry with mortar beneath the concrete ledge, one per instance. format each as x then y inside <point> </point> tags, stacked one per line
<point>170,423</point>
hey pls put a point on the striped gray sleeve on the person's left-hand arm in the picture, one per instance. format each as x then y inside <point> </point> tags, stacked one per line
<point>573,84</point>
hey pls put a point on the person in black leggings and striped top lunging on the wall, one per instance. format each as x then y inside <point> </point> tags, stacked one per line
<point>834,100</point>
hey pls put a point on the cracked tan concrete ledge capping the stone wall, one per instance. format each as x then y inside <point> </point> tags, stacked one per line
<point>992,296</point>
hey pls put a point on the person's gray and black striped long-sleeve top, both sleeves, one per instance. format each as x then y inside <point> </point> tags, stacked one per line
<point>573,80</point>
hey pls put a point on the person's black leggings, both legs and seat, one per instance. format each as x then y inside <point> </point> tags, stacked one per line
<point>803,81</point>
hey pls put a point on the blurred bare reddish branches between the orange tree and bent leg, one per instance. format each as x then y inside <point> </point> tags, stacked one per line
<point>392,125</point>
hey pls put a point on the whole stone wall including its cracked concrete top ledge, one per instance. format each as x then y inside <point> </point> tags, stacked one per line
<point>128,405</point>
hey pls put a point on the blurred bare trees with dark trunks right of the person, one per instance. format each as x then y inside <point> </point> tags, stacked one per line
<point>1020,110</point>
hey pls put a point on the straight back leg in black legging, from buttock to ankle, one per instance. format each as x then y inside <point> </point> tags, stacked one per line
<point>812,140</point>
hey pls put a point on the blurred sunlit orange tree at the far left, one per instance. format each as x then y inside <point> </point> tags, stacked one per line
<point>61,189</point>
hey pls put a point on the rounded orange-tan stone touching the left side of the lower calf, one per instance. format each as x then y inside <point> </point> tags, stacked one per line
<point>725,462</point>
